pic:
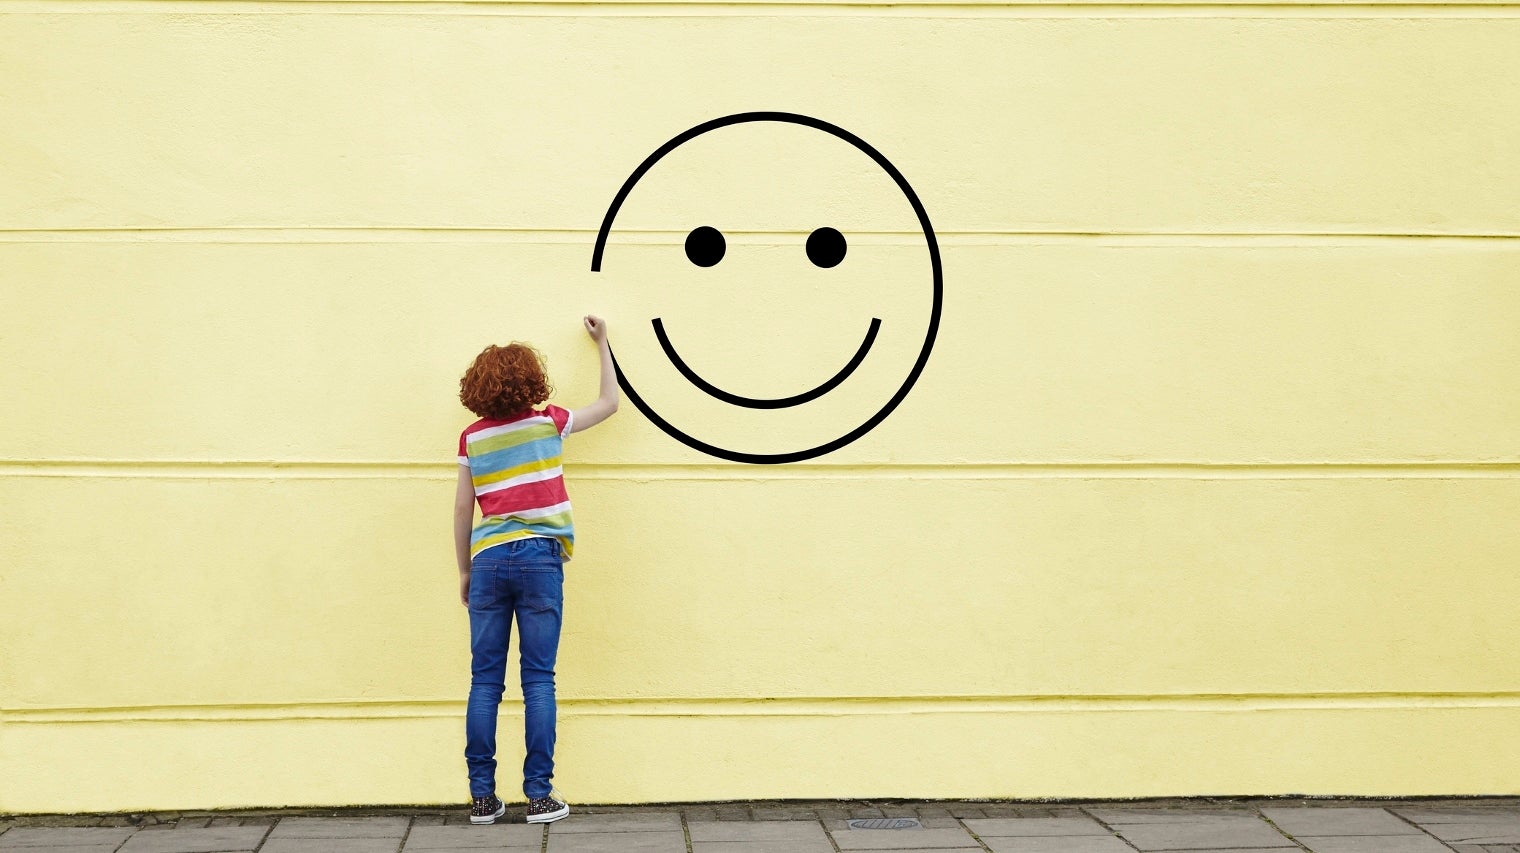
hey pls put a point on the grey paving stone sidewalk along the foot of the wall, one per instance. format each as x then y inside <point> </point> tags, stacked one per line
<point>1487,825</point>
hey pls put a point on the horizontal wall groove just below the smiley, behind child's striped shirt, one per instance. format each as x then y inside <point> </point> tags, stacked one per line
<point>729,472</point>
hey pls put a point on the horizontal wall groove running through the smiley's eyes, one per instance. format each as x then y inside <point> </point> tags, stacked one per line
<point>551,236</point>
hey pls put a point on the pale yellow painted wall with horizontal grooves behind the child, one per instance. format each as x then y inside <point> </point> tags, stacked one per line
<point>1209,486</point>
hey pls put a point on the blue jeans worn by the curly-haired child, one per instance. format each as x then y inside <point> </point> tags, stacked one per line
<point>522,577</point>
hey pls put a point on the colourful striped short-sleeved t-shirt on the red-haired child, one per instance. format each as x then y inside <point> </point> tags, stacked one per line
<point>515,466</point>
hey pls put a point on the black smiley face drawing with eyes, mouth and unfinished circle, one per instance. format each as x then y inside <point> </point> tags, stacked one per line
<point>826,250</point>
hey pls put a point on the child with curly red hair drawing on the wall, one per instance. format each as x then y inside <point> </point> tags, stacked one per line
<point>511,562</point>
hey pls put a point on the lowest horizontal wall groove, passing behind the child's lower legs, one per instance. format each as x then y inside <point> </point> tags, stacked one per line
<point>814,706</point>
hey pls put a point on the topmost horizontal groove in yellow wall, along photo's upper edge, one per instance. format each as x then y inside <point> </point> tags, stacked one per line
<point>773,8</point>
